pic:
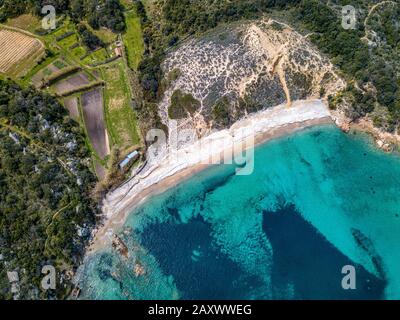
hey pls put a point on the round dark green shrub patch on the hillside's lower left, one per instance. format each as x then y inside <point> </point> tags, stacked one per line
<point>182,104</point>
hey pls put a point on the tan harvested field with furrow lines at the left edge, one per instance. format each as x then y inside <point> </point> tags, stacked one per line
<point>19,52</point>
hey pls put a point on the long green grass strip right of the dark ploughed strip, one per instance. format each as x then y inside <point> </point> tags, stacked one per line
<point>120,117</point>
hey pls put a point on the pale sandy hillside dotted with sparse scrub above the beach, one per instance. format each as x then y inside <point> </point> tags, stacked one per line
<point>240,69</point>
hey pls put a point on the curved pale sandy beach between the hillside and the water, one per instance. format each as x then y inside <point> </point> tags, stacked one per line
<point>174,165</point>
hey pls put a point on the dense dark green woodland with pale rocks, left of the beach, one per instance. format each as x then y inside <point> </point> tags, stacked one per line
<point>46,213</point>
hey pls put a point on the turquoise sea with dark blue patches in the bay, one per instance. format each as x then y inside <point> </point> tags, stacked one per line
<point>317,200</point>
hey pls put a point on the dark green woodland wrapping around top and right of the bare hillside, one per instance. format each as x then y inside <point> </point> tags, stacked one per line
<point>372,69</point>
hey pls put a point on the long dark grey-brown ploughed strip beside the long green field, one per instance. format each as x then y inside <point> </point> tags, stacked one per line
<point>92,107</point>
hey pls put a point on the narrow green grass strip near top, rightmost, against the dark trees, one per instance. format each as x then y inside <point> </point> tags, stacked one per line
<point>133,39</point>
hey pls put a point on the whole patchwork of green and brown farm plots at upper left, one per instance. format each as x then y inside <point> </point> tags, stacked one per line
<point>103,113</point>
